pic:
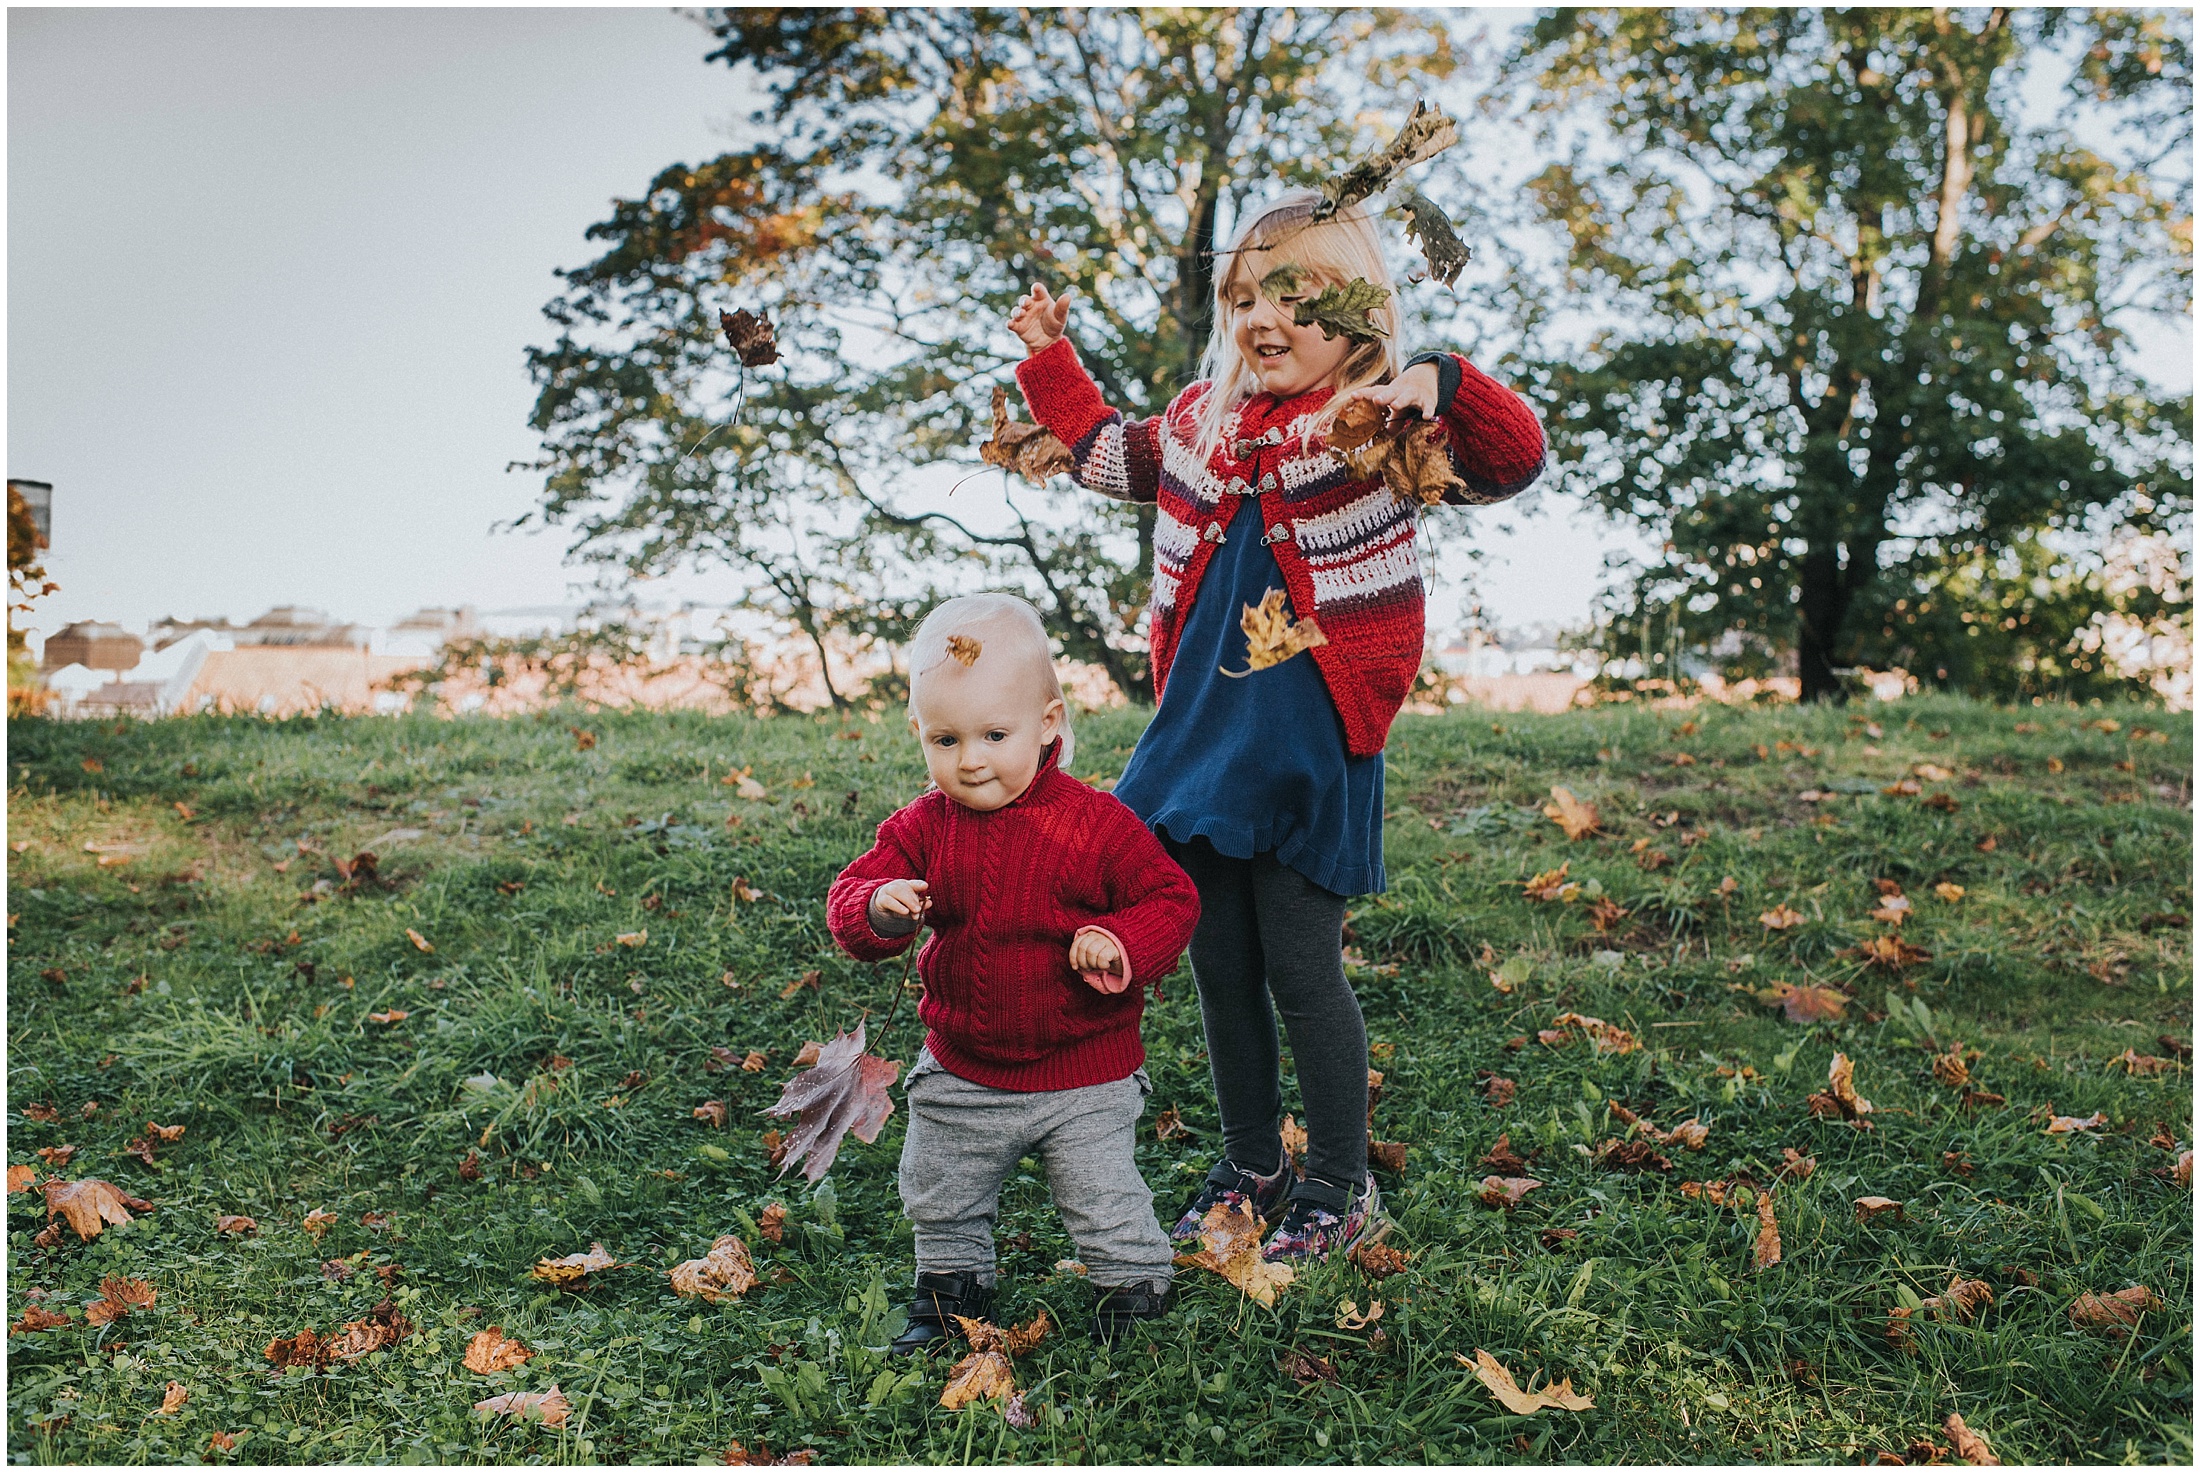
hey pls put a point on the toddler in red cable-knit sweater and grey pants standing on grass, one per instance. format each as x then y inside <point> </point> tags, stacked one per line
<point>1050,907</point>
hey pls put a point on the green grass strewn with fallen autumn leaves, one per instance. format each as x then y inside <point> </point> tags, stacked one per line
<point>2069,946</point>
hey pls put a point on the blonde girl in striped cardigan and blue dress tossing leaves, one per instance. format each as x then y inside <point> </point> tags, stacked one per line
<point>1264,777</point>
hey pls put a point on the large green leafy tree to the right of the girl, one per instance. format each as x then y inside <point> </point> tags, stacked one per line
<point>1860,324</point>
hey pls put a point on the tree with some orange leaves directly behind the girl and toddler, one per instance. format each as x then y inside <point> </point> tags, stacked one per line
<point>918,170</point>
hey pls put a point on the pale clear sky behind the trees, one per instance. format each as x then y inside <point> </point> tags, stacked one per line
<point>272,278</point>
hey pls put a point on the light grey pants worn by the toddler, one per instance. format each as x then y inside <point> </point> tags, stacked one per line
<point>965,1140</point>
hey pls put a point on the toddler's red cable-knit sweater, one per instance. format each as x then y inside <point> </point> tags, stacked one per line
<point>1009,891</point>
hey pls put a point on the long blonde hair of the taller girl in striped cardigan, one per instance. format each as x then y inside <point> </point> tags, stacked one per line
<point>1328,254</point>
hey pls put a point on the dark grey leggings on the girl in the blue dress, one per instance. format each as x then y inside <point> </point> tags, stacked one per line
<point>1268,933</point>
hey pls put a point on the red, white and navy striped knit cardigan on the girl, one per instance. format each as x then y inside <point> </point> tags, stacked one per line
<point>1347,546</point>
